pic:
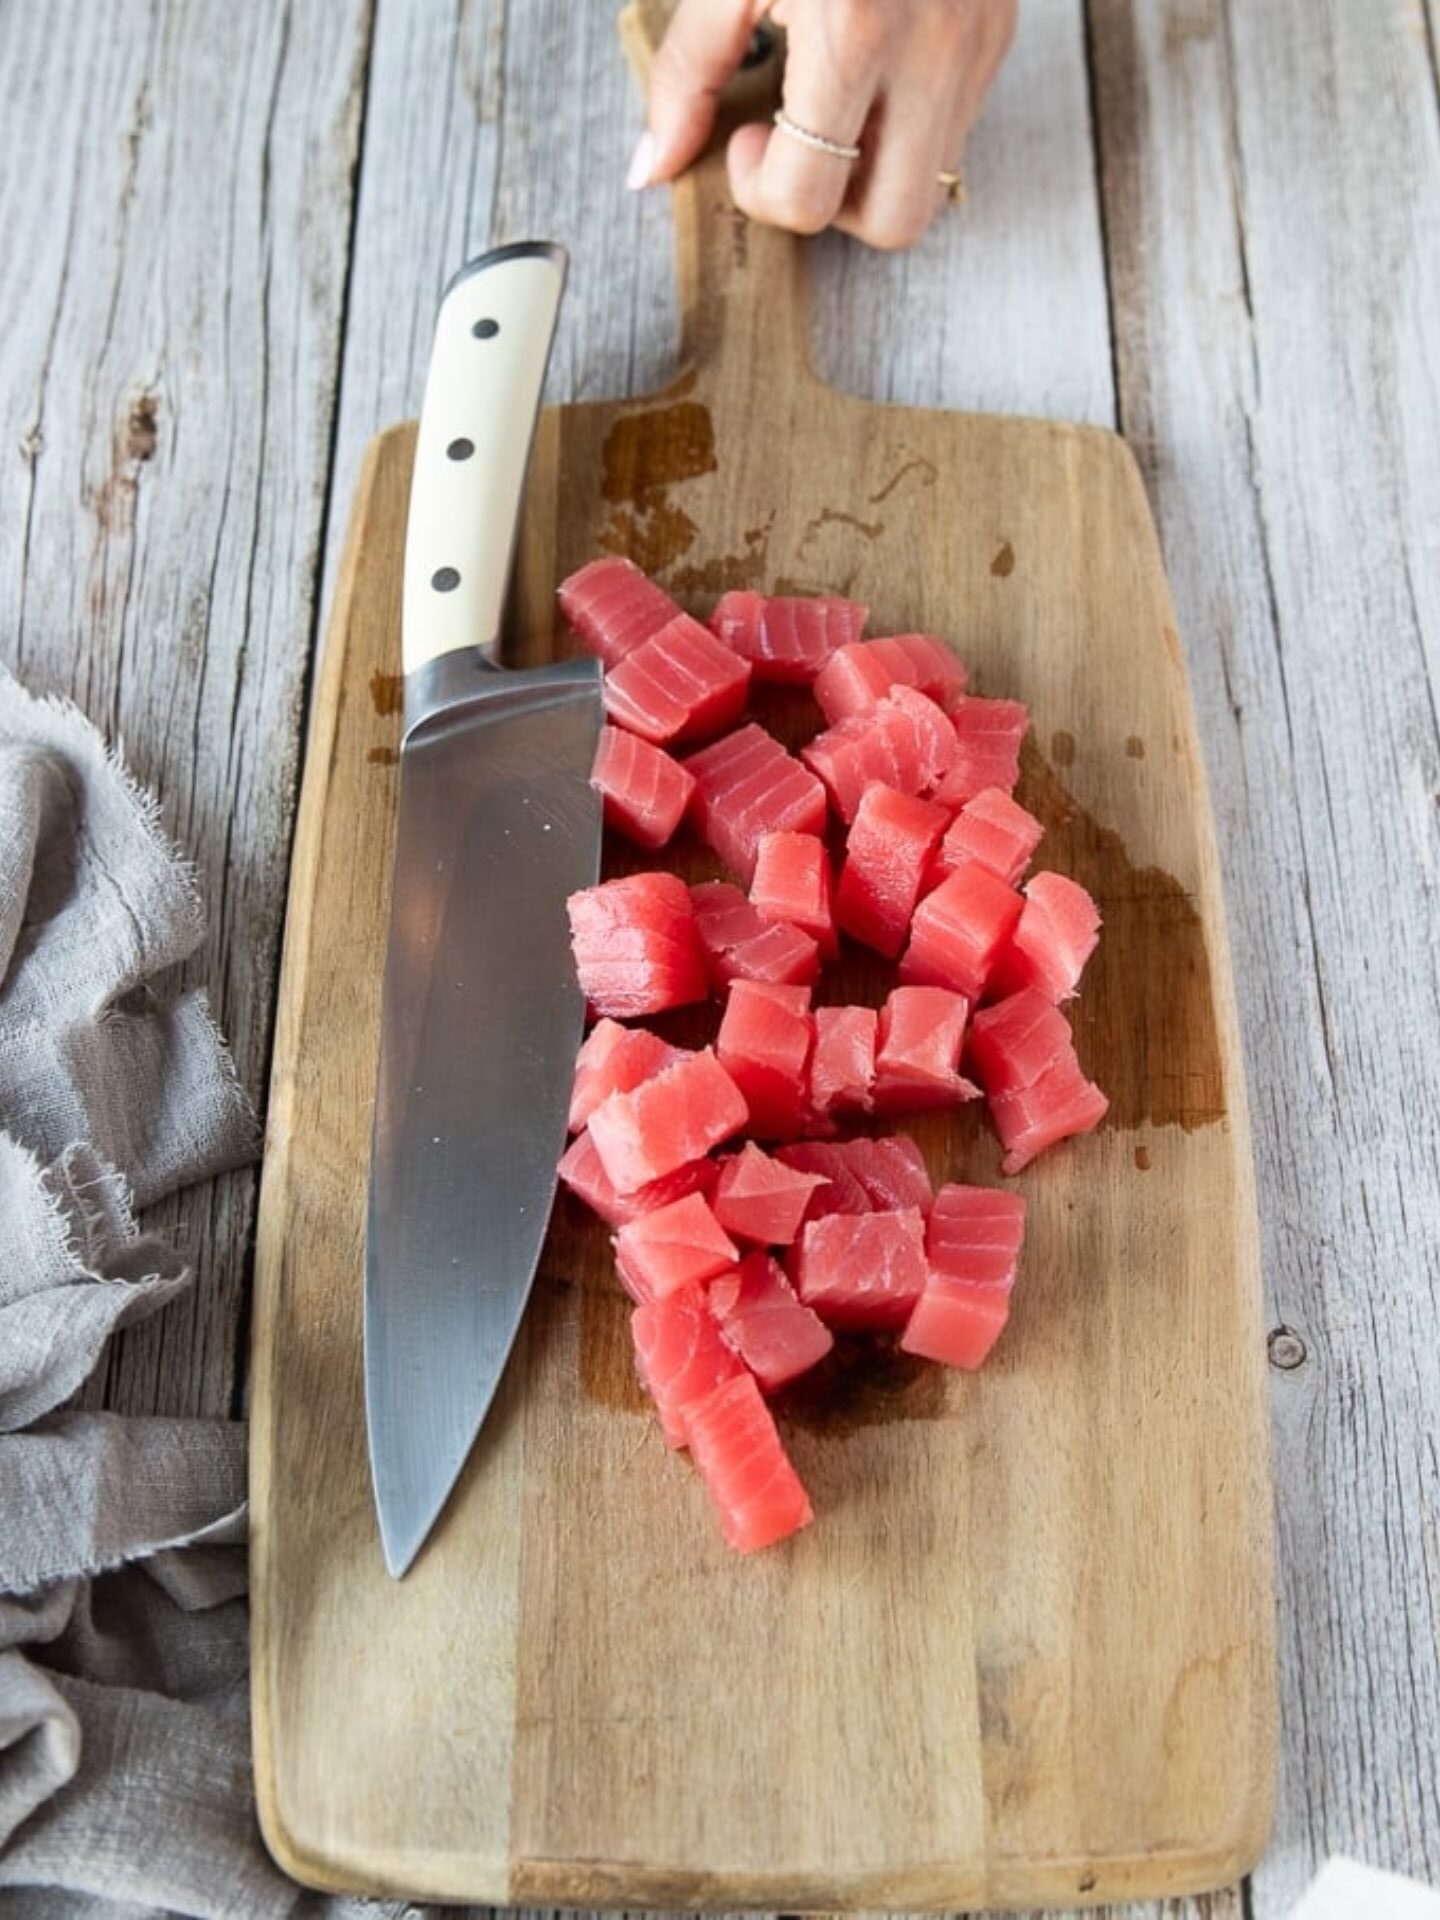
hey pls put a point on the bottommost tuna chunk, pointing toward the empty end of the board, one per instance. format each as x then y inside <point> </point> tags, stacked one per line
<point>744,1466</point>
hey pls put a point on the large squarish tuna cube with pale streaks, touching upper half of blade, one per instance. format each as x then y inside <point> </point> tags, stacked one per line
<point>636,948</point>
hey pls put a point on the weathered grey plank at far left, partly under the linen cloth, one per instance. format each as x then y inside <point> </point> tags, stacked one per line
<point>176,199</point>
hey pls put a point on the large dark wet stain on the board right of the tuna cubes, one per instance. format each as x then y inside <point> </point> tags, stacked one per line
<point>1145,1020</point>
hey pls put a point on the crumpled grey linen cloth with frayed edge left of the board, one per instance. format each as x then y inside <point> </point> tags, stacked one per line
<point>124,1643</point>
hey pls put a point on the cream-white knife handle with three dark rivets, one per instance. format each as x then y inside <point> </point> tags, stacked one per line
<point>481,400</point>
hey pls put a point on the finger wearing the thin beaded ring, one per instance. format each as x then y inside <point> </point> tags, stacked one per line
<point>832,72</point>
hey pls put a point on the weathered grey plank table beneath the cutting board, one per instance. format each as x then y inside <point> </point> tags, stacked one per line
<point>1212,224</point>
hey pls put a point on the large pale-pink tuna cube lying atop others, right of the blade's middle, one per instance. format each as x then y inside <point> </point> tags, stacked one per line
<point>665,1122</point>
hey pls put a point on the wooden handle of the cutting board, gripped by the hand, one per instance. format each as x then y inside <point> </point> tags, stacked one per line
<point>744,291</point>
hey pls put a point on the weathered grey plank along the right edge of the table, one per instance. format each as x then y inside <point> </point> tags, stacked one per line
<point>1278,320</point>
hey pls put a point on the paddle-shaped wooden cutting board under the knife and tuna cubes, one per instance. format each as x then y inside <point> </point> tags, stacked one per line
<point>1024,1656</point>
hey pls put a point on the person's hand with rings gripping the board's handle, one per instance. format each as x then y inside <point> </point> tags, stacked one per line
<point>901,80</point>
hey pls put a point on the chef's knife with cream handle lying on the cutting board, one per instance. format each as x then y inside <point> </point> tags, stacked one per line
<point>498,825</point>
